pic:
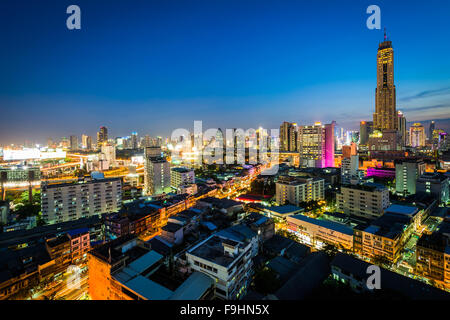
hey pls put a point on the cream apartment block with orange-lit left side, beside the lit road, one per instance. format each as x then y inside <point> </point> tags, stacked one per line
<point>294,190</point>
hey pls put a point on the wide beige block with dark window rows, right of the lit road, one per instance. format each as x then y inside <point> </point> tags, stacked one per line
<point>367,200</point>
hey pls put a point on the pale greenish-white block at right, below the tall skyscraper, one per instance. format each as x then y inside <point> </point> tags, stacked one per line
<point>406,174</point>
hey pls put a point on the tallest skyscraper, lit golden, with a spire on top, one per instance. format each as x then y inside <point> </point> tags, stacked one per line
<point>385,116</point>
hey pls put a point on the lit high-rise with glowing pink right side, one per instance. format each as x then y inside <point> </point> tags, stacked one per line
<point>316,145</point>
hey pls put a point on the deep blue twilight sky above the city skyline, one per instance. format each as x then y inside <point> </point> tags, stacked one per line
<point>156,65</point>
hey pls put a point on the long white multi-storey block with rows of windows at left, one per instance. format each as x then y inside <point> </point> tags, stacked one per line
<point>87,197</point>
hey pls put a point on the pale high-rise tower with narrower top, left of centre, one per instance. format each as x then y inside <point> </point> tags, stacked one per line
<point>156,171</point>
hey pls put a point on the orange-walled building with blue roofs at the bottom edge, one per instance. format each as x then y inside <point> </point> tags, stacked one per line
<point>127,269</point>
